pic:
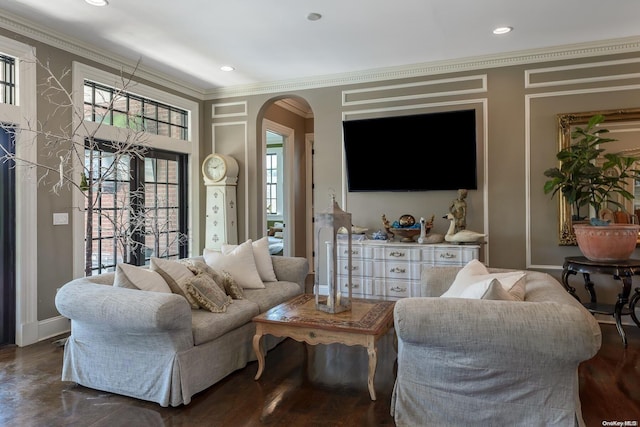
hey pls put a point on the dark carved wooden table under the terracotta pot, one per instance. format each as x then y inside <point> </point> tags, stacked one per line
<point>620,270</point>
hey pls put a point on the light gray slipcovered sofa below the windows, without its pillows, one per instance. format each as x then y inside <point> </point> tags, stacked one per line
<point>154,346</point>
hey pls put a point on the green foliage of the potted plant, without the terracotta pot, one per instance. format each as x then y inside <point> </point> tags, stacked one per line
<point>587,174</point>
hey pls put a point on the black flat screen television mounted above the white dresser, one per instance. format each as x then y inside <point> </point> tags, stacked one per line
<point>435,151</point>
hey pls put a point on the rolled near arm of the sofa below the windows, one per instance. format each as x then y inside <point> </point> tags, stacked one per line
<point>114,308</point>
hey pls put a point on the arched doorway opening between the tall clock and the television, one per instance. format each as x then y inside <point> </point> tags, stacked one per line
<point>286,147</point>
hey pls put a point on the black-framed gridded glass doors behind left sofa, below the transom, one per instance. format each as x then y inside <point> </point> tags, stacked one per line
<point>138,207</point>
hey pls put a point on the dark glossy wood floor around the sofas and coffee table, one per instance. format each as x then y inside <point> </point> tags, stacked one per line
<point>297,389</point>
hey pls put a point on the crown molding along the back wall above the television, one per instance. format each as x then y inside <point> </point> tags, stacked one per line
<point>557,53</point>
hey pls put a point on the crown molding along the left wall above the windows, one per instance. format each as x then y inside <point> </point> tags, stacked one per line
<point>29,29</point>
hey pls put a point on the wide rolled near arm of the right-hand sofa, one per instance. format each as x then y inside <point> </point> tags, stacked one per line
<point>505,332</point>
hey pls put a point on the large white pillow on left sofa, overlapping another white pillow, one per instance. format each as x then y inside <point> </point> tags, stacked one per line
<point>239,263</point>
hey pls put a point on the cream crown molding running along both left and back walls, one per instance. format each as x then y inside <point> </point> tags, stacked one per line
<point>606,47</point>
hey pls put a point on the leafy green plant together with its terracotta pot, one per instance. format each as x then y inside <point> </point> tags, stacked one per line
<point>589,176</point>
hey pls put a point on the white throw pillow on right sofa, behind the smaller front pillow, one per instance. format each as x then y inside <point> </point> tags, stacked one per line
<point>513,282</point>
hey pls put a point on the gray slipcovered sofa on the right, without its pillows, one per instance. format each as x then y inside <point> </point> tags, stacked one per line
<point>465,362</point>
